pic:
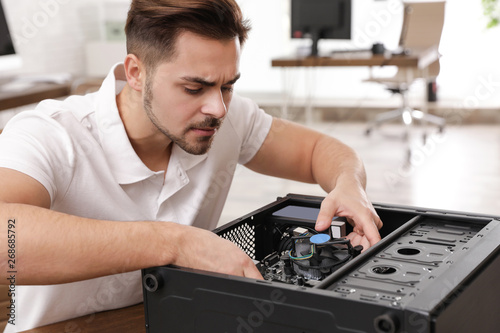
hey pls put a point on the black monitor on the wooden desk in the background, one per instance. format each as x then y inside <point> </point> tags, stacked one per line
<point>321,19</point>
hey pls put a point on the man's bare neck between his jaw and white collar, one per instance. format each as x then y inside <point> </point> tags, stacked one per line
<point>152,147</point>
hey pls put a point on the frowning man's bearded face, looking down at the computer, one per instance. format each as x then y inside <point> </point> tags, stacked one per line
<point>188,97</point>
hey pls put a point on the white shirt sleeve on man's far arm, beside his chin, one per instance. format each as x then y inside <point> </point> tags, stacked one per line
<point>252,125</point>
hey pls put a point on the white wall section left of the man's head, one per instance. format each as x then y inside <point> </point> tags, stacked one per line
<point>51,35</point>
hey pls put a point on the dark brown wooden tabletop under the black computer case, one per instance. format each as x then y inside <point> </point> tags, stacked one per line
<point>126,320</point>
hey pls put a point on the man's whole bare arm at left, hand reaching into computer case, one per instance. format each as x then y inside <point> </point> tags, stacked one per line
<point>52,247</point>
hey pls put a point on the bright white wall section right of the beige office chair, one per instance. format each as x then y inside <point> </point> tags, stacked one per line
<point>470,66</point>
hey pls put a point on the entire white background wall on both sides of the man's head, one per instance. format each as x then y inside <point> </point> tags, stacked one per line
<point>51,36</point>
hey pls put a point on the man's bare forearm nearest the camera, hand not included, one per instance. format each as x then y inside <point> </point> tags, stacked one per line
<point>53,248</point>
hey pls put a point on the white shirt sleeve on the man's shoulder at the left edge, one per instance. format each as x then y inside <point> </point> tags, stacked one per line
<point>38,146</point>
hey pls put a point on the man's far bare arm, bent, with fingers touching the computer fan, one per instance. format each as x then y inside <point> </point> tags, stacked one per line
<point>296,152</point>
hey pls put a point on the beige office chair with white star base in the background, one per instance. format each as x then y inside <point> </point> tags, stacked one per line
<point>420,34</point>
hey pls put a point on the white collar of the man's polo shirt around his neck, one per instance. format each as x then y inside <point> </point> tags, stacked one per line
<point>126,166</point>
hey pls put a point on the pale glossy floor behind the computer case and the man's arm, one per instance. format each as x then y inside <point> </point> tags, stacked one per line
<point>458,170</point>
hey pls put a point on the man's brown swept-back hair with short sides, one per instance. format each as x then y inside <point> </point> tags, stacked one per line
<point>153,26</point>
